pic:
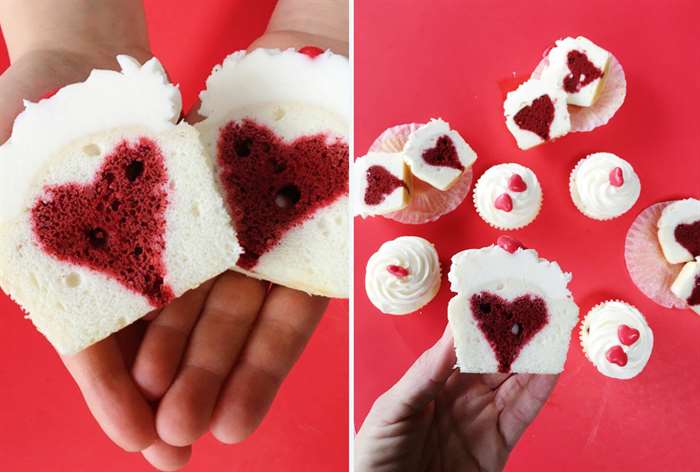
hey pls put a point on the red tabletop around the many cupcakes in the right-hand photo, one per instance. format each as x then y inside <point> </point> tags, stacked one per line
<point>447,58</point>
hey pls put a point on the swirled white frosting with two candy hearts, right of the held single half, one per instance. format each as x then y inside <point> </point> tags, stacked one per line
<point>599,333</point>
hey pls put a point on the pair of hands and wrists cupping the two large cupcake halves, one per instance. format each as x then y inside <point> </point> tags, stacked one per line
<point>214,359</point>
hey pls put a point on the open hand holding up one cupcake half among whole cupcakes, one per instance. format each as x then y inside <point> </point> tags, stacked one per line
<point>436,419</point>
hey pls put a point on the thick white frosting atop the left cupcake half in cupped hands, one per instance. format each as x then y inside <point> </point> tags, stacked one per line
<point>139,95</point>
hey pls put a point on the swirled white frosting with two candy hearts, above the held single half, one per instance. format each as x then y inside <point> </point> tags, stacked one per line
<point>494,183</point>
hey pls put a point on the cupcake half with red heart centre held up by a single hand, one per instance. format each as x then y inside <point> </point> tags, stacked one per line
<point>513,311</point>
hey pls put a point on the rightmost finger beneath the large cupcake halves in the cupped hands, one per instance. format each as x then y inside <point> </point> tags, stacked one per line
<point>286,323</point>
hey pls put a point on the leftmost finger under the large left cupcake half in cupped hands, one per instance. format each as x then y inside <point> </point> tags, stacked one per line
<point>112,396</point>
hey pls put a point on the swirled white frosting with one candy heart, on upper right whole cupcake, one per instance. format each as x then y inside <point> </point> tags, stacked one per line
<point>592,192</point>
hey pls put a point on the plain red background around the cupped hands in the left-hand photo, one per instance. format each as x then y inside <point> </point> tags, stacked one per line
<point>44,424</point>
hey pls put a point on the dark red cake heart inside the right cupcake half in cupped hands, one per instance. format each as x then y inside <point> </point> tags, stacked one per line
<point>259,171</point>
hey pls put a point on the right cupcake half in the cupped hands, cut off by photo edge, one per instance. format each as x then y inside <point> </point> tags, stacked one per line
<point>276,126</point>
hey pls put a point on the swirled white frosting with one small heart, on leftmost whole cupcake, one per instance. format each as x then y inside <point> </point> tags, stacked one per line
<point>394,294</point>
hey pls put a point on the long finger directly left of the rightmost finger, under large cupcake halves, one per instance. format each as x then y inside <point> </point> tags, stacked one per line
<point>219,336</point>
